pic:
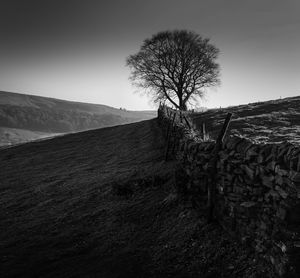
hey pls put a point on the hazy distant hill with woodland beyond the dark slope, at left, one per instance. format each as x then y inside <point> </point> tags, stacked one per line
<point>27,117</point>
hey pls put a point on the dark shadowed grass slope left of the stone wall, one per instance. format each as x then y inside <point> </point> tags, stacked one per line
<point>102,204</point>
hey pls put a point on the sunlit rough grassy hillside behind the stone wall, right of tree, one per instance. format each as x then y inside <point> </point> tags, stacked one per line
<point>269,121</point>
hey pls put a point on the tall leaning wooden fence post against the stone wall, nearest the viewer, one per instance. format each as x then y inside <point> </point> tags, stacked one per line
<point>211,189</point>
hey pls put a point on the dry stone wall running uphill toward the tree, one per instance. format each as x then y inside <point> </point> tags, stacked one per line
<point>257,189</point>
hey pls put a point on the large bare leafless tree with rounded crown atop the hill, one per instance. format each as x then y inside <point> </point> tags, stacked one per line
<point>175,66</point>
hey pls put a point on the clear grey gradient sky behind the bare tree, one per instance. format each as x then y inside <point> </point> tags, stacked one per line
<point>77,49</point>
